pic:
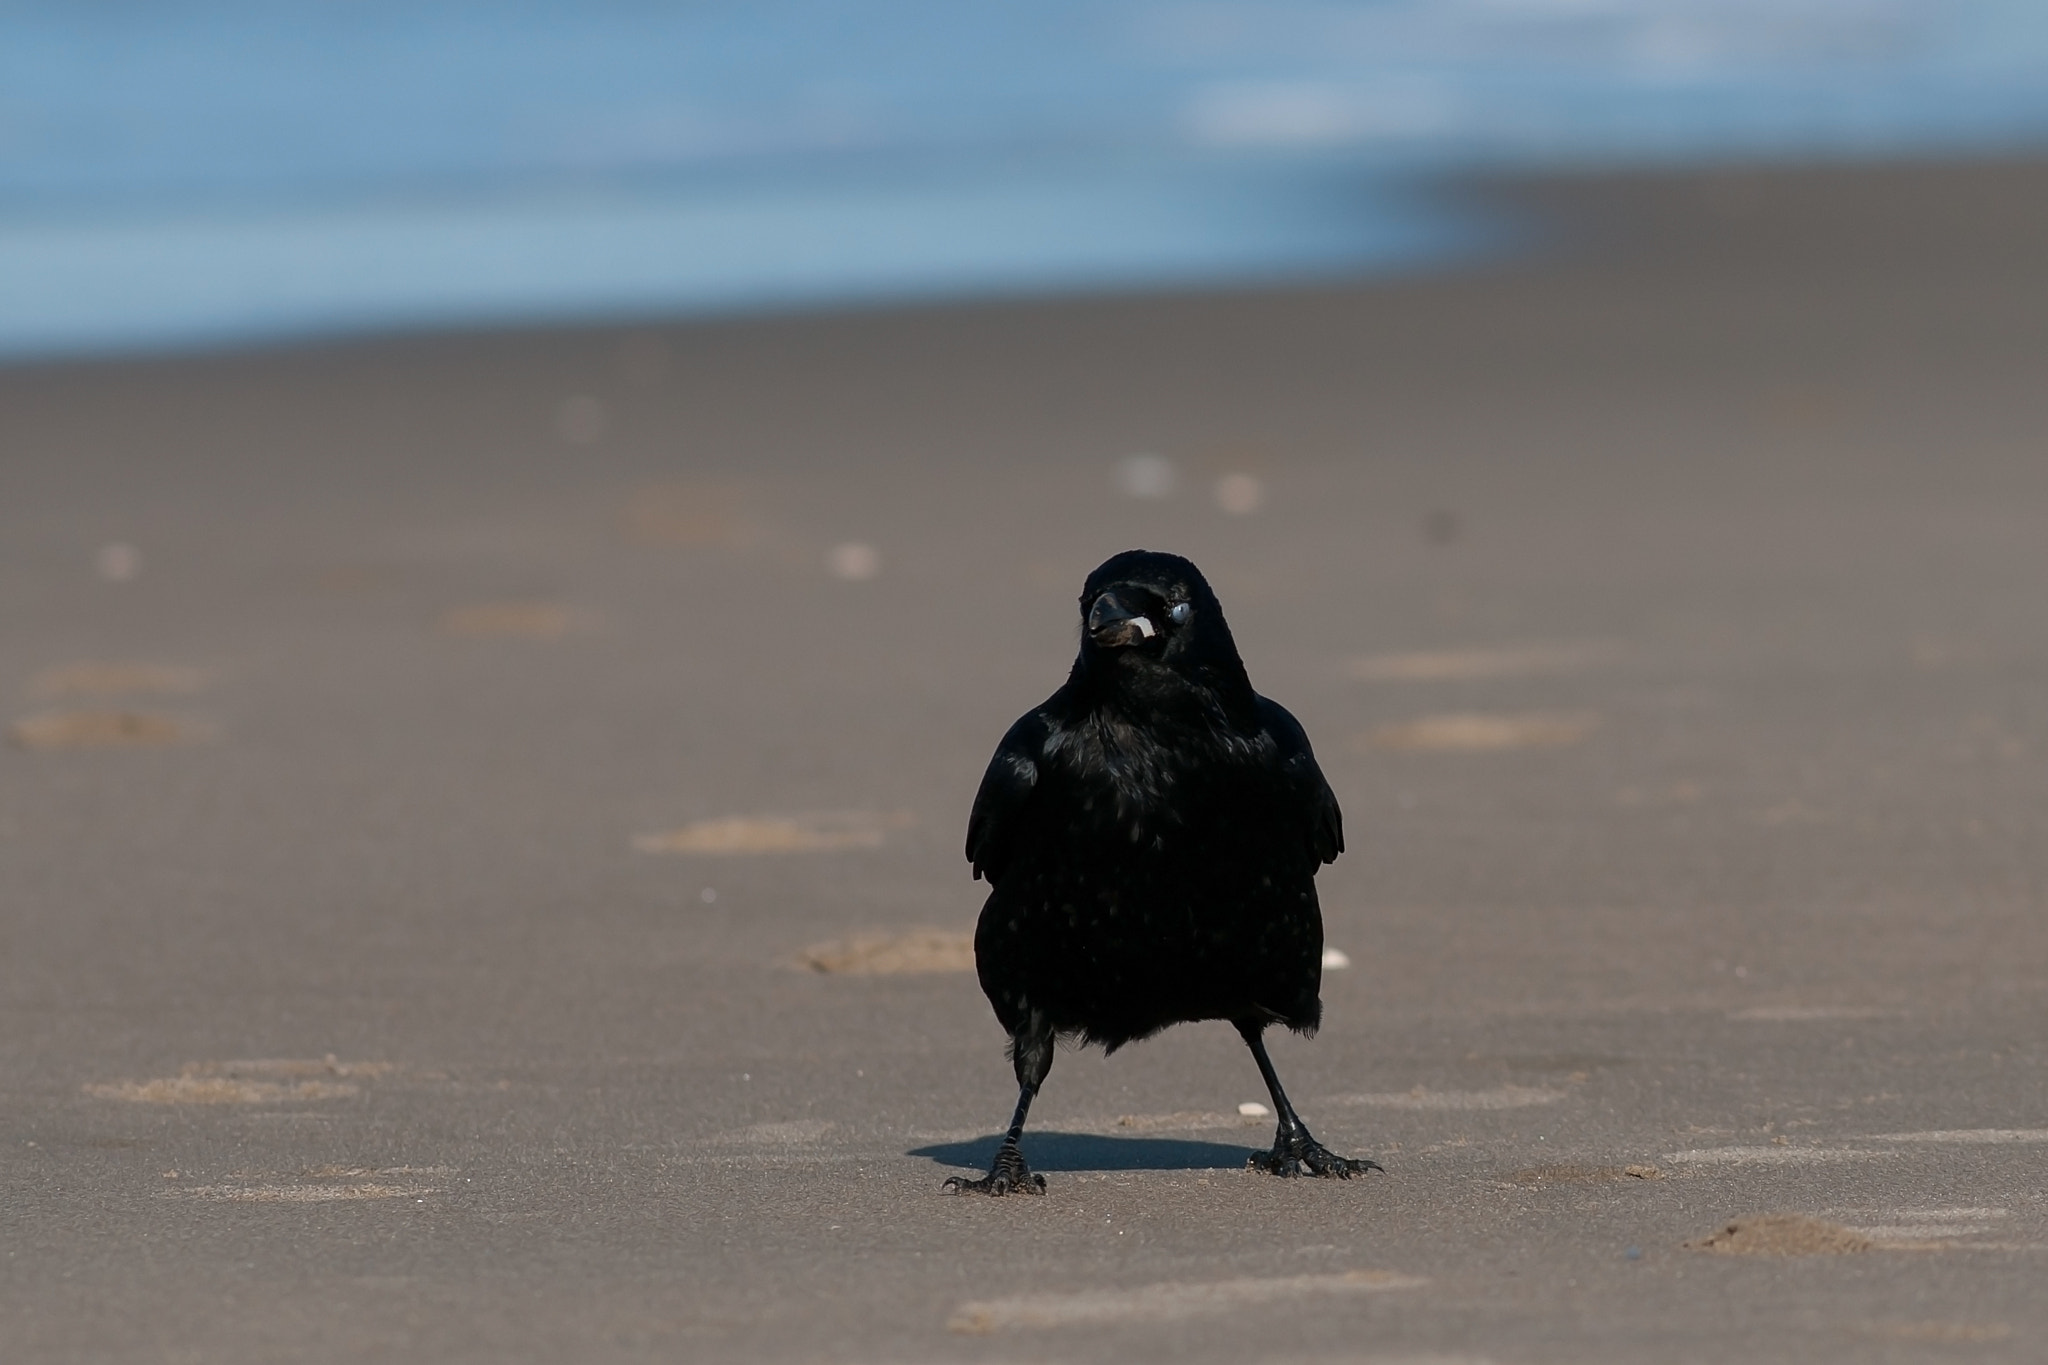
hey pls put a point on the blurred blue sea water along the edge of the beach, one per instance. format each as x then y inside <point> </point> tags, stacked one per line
<point>187,175</point>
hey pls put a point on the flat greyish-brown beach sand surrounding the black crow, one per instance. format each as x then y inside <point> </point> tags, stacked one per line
<point>480,852</point>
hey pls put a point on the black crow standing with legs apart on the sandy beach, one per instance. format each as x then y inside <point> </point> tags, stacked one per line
<point>1152,838</point>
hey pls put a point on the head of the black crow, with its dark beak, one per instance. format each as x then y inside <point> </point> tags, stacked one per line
<point>1156,611</point>
